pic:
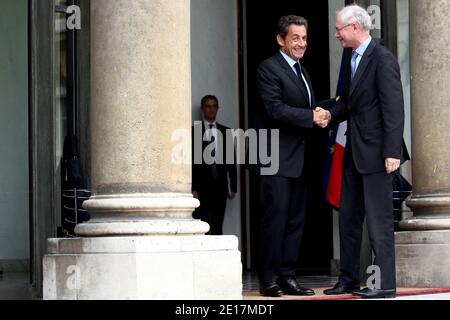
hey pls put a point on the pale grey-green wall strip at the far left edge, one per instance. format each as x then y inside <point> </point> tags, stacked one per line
<point>14,191</point>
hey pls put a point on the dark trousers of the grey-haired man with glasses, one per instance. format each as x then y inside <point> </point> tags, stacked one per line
<point>366,196</point>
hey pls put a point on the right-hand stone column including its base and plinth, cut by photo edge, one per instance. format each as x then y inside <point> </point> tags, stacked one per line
<point>423,250</point>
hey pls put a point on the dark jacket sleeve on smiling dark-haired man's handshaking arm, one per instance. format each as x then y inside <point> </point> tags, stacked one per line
<point>270,91</point>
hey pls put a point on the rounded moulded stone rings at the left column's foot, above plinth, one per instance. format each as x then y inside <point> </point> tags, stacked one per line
<point>141,214</point>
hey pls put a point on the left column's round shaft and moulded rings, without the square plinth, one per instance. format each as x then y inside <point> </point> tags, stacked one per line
<point>141,93</point>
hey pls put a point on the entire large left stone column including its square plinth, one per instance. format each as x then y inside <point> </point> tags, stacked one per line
<point>141,242</point>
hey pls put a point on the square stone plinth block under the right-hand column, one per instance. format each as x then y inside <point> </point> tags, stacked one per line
<point>422,259</point>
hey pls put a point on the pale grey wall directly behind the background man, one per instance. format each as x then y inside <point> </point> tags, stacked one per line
<point>214,42</point>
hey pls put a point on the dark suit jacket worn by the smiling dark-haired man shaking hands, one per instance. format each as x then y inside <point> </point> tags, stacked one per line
<point>284,105</point>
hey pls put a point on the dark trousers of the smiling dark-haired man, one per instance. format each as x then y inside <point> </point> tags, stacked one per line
<point>283,204</point>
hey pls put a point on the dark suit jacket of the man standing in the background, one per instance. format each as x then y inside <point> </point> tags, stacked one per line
<point>202,179</point>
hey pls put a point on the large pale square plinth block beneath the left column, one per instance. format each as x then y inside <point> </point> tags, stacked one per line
<point>143,268</point>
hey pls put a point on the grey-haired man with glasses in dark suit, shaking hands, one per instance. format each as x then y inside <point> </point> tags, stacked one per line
<point>373,106</point>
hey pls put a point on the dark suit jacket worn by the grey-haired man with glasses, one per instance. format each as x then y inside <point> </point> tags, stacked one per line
<point>373,105</point>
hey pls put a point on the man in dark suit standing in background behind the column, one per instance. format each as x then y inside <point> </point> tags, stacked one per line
<point>210,183</point>
